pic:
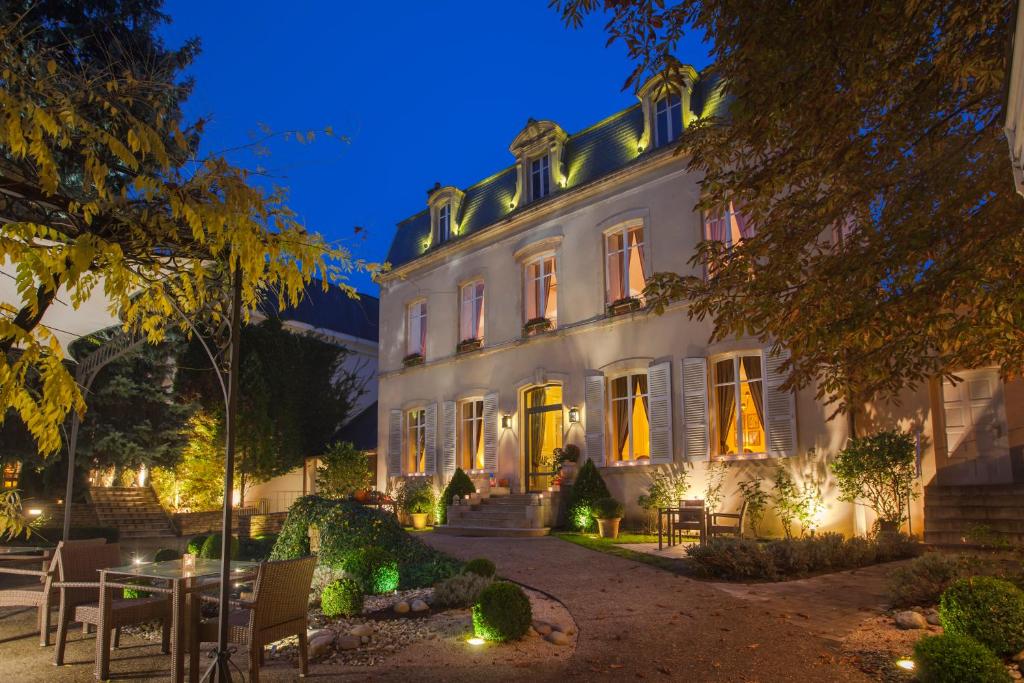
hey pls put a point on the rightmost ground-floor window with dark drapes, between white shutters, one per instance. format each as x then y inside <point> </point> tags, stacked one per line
<point>738,385</point>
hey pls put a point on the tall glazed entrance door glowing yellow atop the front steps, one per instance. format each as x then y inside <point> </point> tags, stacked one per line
<point>543,428</point>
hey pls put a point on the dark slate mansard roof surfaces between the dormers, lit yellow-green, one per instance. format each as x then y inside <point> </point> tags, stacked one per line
<point>590,154</point>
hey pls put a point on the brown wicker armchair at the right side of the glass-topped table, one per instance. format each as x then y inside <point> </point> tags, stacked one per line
<point>280,609</point>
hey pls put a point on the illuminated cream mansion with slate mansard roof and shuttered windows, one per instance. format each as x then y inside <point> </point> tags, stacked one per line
<point>511,325</point>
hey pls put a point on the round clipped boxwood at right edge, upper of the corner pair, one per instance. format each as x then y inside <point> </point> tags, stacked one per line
<point>991,611</point>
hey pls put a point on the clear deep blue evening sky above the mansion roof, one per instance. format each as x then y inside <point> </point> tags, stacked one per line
<point>426,92</point>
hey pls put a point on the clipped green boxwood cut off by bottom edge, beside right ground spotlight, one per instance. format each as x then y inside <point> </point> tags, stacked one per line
<point>956,659</point>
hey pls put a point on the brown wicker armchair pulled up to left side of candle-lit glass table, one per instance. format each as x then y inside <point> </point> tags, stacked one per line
<point>77,579</point>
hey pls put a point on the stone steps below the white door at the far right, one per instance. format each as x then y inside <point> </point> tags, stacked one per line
<point>974,515</point>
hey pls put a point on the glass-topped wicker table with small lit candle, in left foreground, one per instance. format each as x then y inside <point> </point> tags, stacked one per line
<point>182,584</point>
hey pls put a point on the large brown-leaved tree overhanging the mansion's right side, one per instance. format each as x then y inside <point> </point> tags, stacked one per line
<point>879,122</point>
